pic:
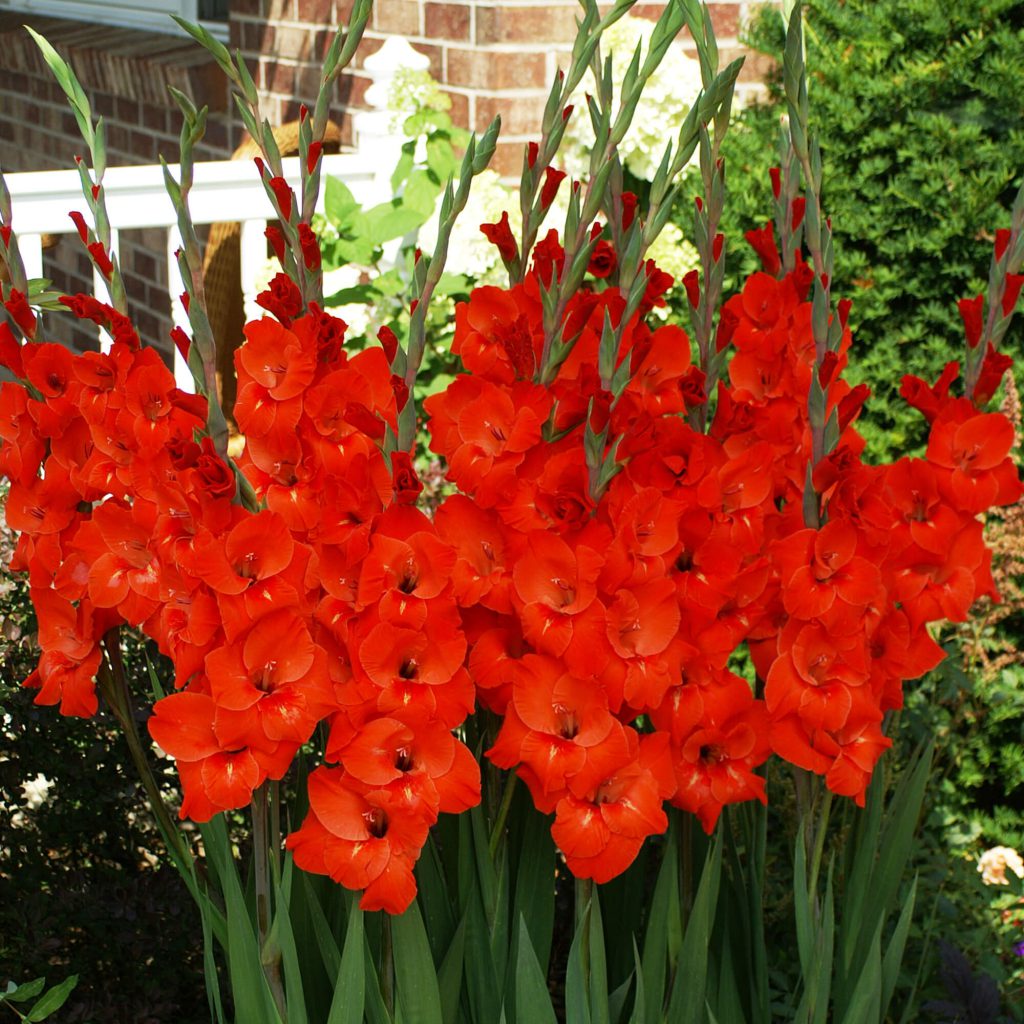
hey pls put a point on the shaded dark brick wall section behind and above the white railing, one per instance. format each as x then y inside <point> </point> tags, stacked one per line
<point>125,74</point>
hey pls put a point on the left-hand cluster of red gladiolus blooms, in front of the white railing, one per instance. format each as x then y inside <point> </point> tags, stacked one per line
<point>331,603</point>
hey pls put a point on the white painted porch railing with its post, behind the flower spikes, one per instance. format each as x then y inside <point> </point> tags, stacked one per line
<point>223,191</point>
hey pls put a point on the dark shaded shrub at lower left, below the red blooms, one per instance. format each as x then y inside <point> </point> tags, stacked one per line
<point>86,885</point>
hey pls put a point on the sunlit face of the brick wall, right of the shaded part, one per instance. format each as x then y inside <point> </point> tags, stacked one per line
<point>491,56</point>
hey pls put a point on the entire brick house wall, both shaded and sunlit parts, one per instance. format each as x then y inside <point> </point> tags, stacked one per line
<point>491,57</point>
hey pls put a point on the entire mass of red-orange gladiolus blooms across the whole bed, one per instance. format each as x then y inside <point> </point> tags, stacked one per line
<point>601,629</point>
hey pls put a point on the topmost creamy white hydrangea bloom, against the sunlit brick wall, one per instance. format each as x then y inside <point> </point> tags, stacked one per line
<point>666,100</point>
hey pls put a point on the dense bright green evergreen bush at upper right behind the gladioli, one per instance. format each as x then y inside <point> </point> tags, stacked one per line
<point>918,109</point>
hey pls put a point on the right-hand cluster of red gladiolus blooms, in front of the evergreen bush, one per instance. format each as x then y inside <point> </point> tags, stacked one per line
<point>604,632</point>
